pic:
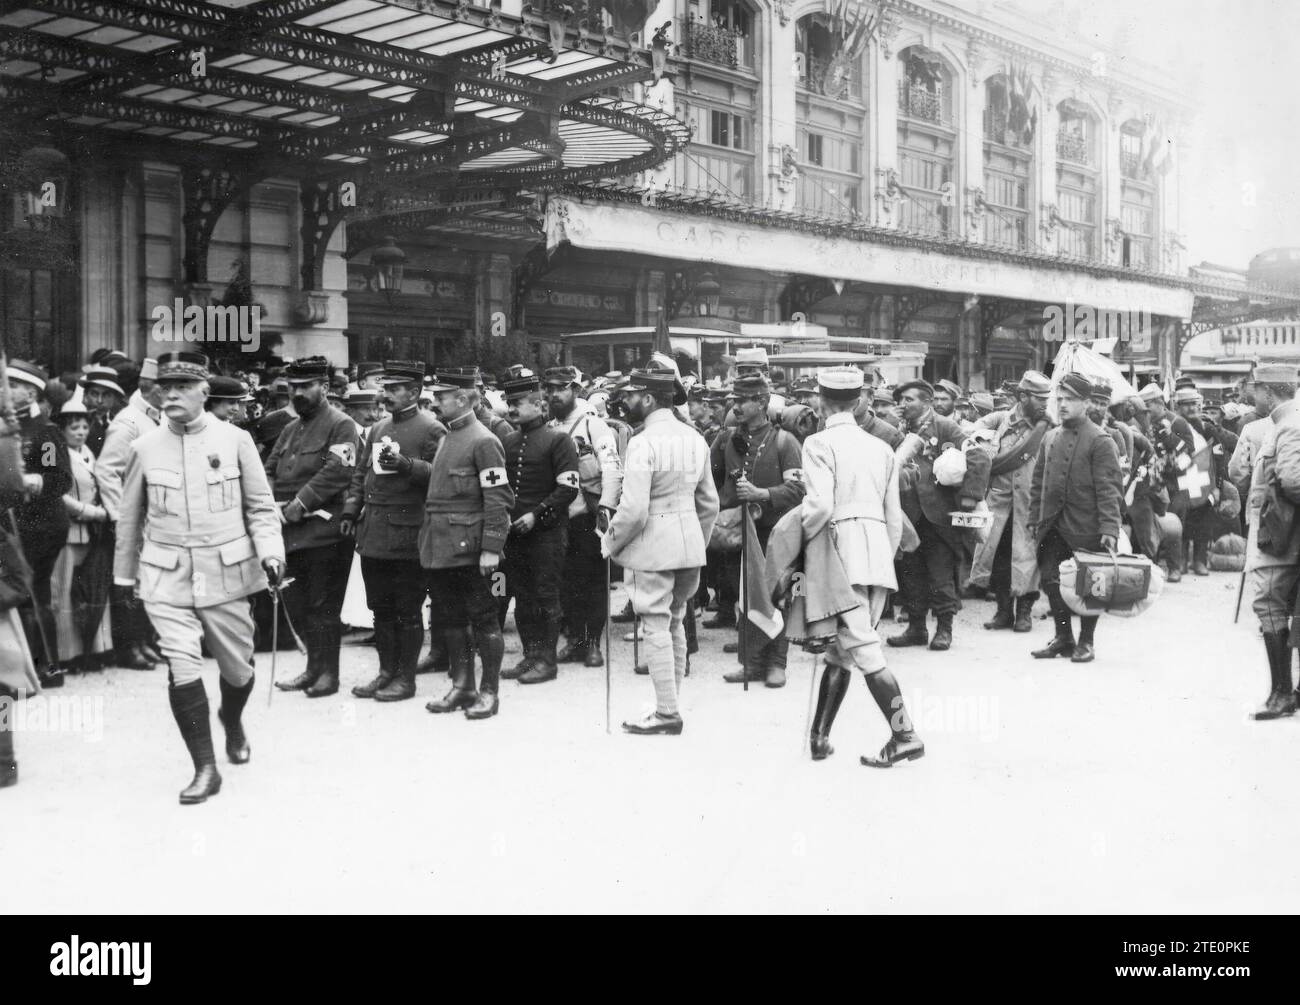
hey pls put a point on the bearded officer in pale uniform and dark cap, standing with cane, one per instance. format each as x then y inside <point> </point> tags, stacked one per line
<point>666,516</point>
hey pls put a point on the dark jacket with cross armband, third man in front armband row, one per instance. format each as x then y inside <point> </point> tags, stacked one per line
<point>469,501</point>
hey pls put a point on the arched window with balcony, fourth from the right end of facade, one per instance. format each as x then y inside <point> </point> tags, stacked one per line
<point>928,142</point>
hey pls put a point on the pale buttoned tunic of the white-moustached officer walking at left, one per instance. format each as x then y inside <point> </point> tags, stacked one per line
<point>197,516</point>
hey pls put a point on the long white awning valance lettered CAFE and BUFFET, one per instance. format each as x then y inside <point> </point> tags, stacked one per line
<point>605,227</point>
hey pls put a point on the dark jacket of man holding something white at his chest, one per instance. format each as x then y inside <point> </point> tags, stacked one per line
<point>392,506</point>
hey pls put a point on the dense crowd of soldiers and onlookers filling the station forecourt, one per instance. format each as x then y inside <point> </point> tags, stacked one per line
<point>164,512</point>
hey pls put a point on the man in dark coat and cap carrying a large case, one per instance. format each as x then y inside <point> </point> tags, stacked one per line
<point>1074,505</point>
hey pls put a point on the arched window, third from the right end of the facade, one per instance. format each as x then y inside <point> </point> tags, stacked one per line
<point>1011,122</point>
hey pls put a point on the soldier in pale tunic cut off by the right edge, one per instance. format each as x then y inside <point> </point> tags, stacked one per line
<point>1275,568</point>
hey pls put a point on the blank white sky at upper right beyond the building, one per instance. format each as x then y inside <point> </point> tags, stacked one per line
<point>1238,62</point>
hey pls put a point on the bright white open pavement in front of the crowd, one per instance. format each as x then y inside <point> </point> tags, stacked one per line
<point>1134,785</point>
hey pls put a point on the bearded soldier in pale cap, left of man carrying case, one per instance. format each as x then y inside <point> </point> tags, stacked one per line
<point>1007,562</point>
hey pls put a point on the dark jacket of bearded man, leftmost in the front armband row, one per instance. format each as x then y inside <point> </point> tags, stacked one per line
<point>314,462</point>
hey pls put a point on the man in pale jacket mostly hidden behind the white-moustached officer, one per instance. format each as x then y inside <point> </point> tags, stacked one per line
<point>135,640</point>
